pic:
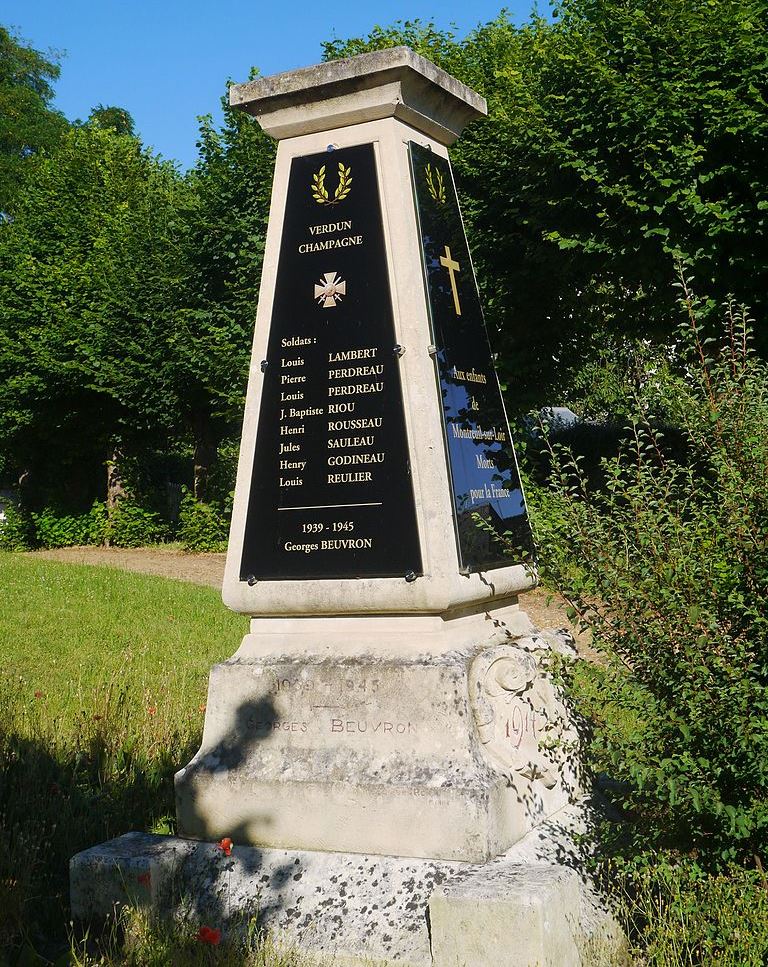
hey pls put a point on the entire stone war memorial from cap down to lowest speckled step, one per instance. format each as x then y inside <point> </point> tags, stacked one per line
<point>387,749</point>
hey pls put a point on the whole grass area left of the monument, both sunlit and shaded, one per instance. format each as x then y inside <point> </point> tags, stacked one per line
<point>103,678</point>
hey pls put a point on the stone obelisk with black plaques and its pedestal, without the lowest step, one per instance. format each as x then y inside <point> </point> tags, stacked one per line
<point>388,697</point>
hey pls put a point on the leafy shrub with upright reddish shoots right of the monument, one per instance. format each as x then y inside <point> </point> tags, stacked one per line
<point>667,562</point>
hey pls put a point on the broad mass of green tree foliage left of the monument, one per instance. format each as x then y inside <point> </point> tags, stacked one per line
<point>127,295</point>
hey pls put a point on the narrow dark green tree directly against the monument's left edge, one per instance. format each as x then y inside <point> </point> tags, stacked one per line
<point>226,232</point>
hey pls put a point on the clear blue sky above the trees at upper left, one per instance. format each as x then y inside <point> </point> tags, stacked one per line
<point>167,61</point>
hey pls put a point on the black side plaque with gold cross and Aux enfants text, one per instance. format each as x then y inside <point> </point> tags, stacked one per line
<point>482,464</point>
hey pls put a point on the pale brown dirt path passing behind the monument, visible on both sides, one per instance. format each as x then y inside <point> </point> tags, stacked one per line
<point>546,610</point>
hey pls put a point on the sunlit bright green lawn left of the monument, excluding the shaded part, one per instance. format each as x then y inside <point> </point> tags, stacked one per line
<point>67,628</point>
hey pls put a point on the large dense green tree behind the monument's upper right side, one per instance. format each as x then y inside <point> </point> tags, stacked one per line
<point>623,137</point>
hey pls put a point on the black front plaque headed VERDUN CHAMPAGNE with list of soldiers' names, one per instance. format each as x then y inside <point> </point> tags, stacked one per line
<point>331,493</point>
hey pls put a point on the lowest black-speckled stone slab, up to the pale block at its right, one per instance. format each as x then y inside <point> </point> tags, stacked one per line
<point>334,904</point>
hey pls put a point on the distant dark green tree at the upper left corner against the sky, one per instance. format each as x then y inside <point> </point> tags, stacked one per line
<point>28,124</point>
